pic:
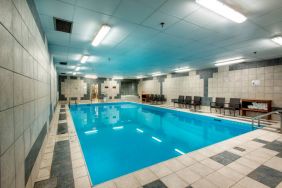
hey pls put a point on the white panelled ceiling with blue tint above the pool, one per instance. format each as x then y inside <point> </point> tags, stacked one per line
<point>137,44</point>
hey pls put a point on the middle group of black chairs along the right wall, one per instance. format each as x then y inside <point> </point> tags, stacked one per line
<point>186,101</point>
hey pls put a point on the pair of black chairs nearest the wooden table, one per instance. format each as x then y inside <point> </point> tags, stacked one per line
<point>233,105</point>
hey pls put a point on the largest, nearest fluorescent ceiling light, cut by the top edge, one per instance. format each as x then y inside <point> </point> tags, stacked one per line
<point>223,10</point>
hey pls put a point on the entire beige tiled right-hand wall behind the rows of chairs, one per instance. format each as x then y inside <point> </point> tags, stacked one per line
<point>228,81</point>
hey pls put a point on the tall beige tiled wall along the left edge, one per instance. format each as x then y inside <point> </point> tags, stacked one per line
<point>25,89</point>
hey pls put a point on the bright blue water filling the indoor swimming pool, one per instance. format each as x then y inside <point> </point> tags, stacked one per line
<point>119,138</point>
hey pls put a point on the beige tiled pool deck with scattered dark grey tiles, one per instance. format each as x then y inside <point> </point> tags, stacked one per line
<point>249,160</point>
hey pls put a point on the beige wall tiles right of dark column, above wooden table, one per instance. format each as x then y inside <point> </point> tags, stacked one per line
<point>238,83</point>
